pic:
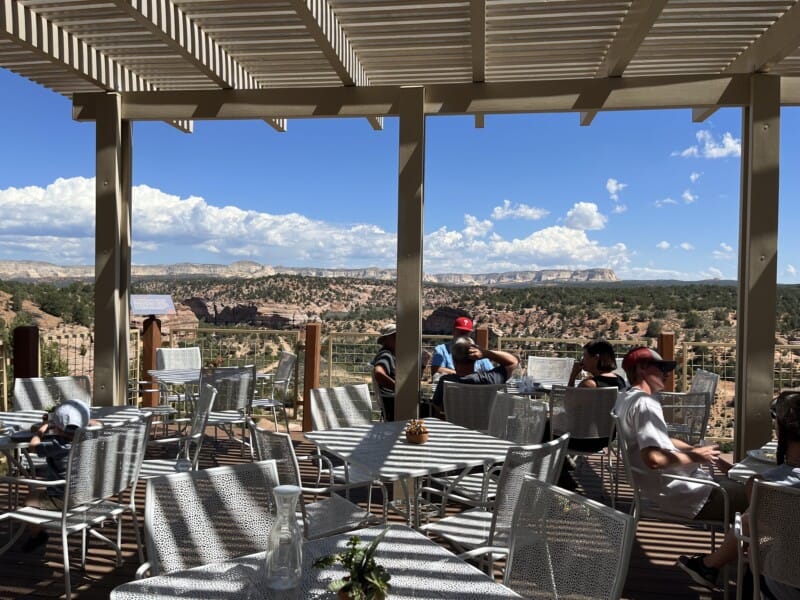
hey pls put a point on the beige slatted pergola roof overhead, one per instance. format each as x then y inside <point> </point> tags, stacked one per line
<point>76,46</point>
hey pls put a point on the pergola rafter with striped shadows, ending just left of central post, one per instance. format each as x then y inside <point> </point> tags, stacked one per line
<point>324,27</point>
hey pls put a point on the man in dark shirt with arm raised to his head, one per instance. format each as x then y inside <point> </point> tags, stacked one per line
<point>465,354</point>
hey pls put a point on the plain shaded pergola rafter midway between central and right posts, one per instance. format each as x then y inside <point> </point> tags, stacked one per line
<point>635,26</point>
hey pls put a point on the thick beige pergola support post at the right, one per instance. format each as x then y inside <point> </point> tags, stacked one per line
<point>758,268</point>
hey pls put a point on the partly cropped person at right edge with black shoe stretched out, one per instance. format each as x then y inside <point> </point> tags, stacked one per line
<point>704,568</point>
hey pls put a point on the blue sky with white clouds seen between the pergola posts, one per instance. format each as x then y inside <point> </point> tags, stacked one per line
<point>649,194</point>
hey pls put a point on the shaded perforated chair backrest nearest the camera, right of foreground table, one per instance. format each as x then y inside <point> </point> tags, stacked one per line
<point>567,546</point>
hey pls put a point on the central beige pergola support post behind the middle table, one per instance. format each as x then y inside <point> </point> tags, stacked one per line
<point>411,176</point>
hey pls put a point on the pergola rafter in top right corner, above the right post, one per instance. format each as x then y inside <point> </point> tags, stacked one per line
<point>776,43</point>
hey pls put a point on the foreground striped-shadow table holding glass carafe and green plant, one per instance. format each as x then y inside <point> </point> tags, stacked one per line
<point>419,569</point>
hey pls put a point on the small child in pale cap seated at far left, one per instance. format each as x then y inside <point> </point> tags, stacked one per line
<point>52,441</point>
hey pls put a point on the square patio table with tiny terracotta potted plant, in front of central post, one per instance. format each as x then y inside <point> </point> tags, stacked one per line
<point>381,450</point>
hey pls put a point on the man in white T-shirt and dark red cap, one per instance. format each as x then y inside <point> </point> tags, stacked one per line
<point>652,451</point>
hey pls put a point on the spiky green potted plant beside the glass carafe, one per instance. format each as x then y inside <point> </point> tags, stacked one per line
<point>366,579</point>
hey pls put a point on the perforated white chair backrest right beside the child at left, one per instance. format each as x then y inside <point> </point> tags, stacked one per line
<point>105,460</point>
